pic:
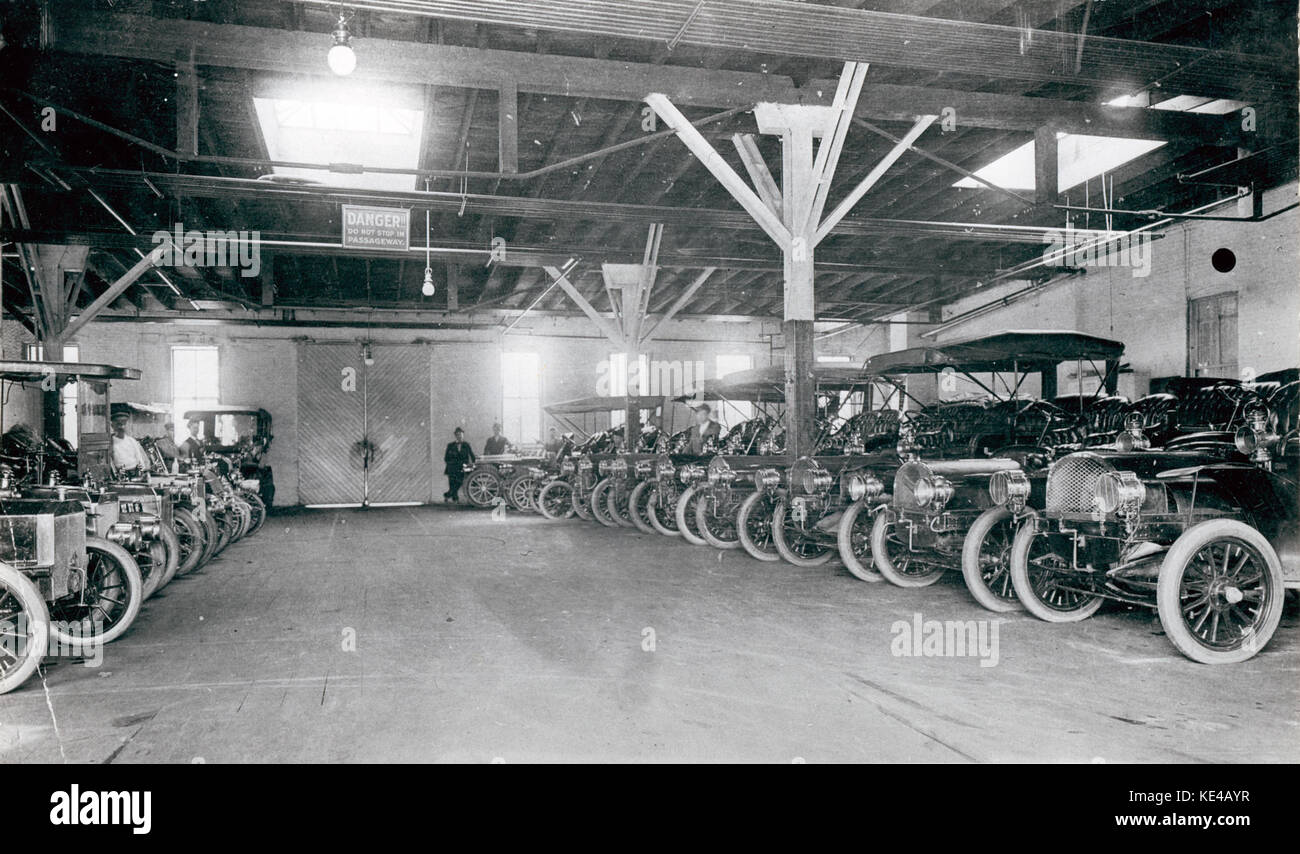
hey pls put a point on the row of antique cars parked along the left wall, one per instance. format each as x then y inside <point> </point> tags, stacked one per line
<point>85,548</point>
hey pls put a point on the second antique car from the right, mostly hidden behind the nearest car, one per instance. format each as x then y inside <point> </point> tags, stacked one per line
<point>1206,413</point>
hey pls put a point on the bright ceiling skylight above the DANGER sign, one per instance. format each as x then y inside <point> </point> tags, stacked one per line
<point>324,132</point>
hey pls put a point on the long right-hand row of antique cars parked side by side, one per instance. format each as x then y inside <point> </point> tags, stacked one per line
<point>1185,501</point>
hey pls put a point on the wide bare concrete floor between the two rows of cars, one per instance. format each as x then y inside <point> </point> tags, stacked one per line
<point>523,640</point>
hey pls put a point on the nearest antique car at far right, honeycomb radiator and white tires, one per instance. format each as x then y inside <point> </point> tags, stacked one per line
<point>1204,531</point>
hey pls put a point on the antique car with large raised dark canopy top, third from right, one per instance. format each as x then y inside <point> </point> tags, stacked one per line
<point>950,452</point>
